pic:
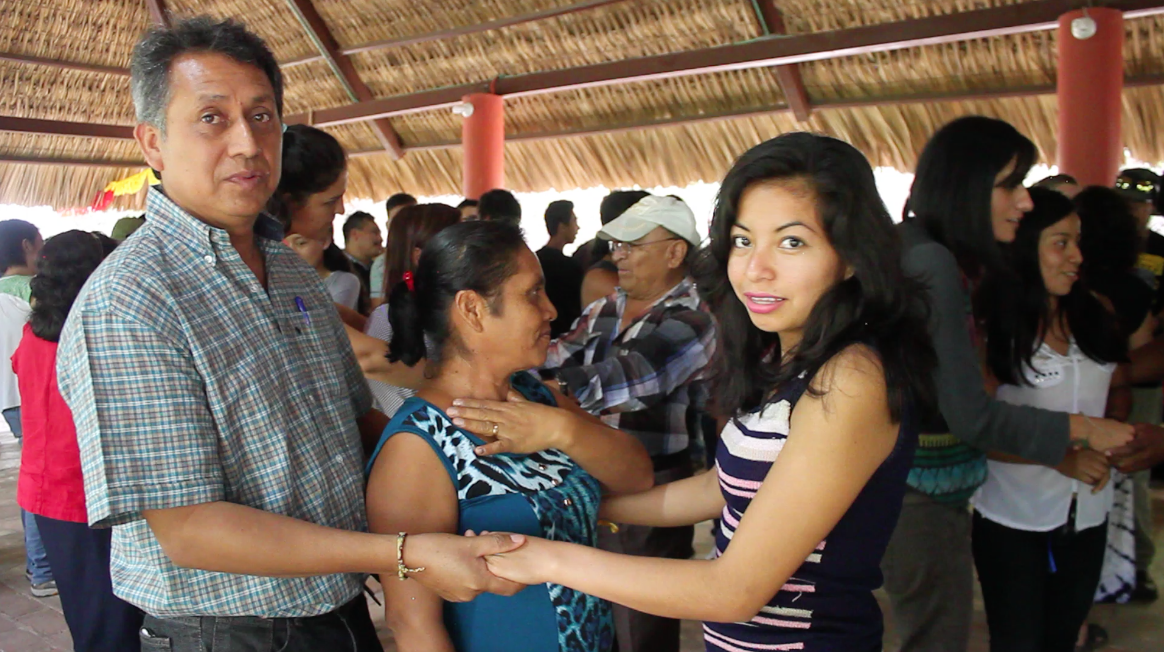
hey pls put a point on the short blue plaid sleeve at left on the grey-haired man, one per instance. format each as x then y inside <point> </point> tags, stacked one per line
<point>145,428</point>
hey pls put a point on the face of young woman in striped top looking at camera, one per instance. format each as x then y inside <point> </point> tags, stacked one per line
<point>782,261</point>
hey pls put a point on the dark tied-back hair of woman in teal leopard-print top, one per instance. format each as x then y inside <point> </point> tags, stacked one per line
<point>475,256</point>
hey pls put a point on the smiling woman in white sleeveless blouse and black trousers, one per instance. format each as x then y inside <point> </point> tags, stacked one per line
<point>1039,533</point>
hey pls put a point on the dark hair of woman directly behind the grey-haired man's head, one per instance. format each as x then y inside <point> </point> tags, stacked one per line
<point>313,161</point>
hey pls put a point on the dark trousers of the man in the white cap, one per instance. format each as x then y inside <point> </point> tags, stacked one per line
<point>635,630</point>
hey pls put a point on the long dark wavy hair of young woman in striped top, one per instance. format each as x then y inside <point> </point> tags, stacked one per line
<point>877,306</point>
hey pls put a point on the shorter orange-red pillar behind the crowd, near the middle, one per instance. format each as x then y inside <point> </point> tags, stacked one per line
<point>484,136</point>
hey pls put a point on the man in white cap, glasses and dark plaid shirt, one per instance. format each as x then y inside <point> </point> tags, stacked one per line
<point>636,359</point>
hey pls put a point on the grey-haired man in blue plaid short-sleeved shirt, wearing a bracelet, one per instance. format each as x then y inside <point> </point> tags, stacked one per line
<point>219,408</point>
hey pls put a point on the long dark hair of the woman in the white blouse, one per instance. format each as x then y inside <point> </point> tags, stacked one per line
<point>1017,311</point>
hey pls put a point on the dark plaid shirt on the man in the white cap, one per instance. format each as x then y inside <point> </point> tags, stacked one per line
<point>648,379</point>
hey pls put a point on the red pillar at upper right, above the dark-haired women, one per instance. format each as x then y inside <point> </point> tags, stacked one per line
<point>1091,90</point>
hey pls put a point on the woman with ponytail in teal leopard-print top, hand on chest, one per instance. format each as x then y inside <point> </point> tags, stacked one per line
<point>475,310</point>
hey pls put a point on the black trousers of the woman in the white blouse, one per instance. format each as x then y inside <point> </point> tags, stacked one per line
<point>1030,606</point>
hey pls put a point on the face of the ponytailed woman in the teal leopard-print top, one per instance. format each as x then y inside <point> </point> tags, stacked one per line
<point>520,329</point>
